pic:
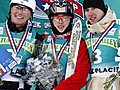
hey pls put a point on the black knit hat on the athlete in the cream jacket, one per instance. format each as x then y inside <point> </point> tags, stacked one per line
<point>94,3</point>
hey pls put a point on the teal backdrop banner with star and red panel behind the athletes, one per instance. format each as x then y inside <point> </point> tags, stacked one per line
<point>41,21</point>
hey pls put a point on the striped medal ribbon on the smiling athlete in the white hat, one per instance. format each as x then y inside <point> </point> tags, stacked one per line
<point>15,48</point>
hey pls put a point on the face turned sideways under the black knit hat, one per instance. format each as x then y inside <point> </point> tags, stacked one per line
<point>94,15</point>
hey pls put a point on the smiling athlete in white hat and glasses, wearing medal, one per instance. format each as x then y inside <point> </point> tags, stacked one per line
<point>18,38</point>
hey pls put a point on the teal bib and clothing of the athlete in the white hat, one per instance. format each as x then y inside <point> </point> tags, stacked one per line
<point>24,43</point>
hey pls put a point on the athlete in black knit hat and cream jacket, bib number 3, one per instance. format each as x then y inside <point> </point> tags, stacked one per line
<point>102,39</point>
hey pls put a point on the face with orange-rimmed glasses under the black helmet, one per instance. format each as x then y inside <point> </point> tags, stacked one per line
<point>61,22</point>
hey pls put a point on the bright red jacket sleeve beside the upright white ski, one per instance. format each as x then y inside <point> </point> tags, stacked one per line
<point>78,79</point>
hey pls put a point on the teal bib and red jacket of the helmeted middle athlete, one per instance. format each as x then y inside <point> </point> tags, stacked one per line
<point>77,80</point>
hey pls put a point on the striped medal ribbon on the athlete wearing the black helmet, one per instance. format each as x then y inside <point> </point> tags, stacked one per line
<point>57,57</point>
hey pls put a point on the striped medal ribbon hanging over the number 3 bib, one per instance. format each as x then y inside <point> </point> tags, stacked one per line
<point>101,36</point>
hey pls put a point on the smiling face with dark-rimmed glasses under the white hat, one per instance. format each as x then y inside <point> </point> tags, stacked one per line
<point>19,15</point>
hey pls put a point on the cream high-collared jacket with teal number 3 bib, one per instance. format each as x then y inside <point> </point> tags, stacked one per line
<point>102,48</point>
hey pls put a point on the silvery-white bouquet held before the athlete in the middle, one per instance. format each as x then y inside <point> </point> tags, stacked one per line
<point>43,71</point>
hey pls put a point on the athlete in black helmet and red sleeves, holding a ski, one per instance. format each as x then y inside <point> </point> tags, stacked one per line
<point>58,43</point>
